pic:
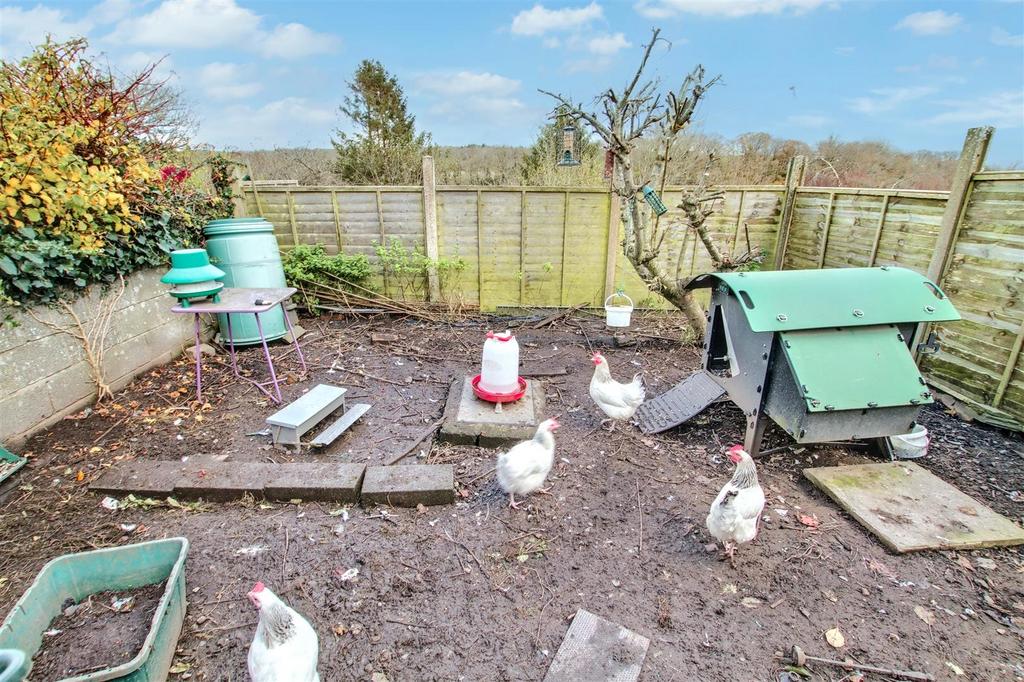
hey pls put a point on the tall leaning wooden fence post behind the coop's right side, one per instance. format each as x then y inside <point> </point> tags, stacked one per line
<point>972,160</point>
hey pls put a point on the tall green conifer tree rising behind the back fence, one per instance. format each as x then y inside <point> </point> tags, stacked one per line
<point>386,148</point>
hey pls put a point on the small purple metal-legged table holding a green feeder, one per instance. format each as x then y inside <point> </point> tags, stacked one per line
<point>244,302</point>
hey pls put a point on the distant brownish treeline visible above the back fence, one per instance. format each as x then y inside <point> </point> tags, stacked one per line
<point>749,159</point>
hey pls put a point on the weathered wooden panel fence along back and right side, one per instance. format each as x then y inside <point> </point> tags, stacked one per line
<point>563,246</point>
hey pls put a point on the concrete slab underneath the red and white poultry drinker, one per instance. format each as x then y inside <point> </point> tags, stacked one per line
<point>471,421</point>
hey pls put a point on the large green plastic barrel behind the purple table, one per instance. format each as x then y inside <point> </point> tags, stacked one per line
<point>247,250</point>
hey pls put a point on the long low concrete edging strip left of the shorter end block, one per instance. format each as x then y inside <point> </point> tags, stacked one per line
<point>230,481</point>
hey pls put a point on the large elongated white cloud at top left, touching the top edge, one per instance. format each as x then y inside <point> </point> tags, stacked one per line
<point>210,24</point>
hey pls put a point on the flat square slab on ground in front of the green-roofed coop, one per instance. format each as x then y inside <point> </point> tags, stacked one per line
<point>909,508</point>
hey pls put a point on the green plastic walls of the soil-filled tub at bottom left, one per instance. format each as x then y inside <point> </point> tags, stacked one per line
<point>77,576</point>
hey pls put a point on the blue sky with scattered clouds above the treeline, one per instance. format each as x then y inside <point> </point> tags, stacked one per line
<point>261,75</point>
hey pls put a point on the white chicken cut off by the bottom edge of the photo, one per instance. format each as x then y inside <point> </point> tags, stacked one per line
<point>285,648</point>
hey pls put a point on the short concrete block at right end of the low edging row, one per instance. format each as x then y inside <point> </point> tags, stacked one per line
<point>409,486</point>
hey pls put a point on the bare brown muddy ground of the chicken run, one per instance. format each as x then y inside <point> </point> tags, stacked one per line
<point>478,591</point>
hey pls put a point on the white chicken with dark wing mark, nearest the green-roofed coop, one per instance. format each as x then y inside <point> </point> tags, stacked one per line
<point>735,515</point>
